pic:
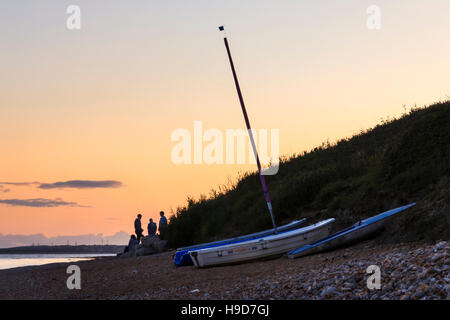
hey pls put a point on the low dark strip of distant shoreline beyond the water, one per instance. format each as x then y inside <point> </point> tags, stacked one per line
<point>63,249</point>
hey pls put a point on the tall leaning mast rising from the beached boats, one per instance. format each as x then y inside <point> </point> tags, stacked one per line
<point>247,122</point>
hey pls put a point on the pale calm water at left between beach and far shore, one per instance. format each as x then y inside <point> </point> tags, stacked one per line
<point>8,261</point>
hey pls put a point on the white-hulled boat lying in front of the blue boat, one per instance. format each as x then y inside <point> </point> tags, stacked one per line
<point>265,247</point>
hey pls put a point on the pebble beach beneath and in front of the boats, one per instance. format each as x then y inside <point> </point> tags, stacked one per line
<point>408,271</point>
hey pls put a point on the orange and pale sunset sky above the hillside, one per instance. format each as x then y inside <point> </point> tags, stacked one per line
<point>86,115</point>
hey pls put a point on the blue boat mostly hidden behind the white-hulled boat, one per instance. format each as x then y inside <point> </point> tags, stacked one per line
<point>182,257</point>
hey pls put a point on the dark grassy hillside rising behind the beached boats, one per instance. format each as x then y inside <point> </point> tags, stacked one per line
<point>397,162</point>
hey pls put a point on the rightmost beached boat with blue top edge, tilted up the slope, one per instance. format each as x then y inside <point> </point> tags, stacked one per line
<point>358,231</point>
